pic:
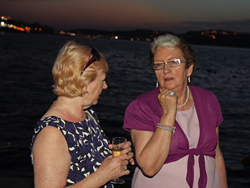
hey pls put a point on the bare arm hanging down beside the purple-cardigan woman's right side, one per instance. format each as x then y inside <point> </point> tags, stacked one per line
<point>220,164</point>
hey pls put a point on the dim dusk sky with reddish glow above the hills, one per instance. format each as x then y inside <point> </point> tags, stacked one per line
<point>177,16</point>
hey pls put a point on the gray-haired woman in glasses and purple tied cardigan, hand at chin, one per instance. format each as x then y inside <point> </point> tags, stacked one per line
<point>175,127</point>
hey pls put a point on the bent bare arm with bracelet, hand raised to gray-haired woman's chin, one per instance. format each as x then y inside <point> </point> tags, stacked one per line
<point>152,148</point>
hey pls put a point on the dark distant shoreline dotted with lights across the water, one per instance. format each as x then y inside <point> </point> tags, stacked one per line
<point>212,37</point>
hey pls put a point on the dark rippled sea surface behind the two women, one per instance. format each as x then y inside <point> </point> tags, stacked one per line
<point>26,61</point>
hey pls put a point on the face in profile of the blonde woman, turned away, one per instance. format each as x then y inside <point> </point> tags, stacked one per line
<point>94,89</point>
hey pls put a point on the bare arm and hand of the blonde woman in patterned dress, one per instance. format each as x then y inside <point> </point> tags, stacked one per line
<point>52,160</point>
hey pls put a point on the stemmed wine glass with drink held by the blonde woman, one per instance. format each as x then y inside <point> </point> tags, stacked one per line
<point>118,143</point>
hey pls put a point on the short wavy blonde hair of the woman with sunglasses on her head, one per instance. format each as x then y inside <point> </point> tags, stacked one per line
<point>69,80</point>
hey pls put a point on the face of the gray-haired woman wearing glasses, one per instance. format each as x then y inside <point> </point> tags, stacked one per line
<point>174,78</point>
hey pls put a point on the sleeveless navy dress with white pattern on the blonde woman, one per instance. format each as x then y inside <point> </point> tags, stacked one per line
<point>87,143</point>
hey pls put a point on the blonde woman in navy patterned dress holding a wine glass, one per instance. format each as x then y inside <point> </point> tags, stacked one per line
<point>69,148</point>
